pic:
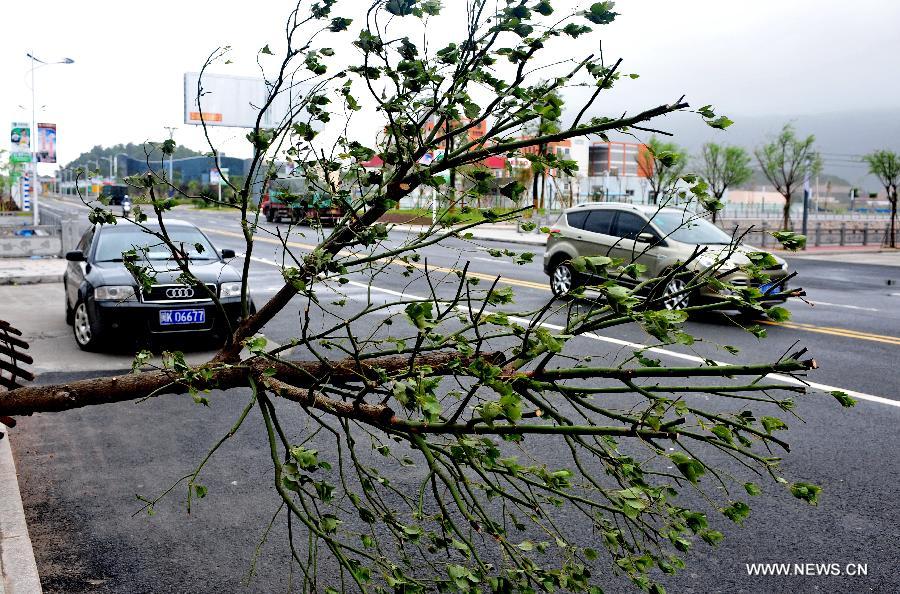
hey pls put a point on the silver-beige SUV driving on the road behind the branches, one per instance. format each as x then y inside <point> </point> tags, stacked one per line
<point>661,239</point>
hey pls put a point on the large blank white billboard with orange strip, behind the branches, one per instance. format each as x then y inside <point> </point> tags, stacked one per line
<point>233,101</point>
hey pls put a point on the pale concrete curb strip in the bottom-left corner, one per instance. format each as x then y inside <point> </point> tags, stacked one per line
<point>18,568</point>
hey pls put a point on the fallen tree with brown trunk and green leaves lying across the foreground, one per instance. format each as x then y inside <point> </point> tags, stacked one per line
<point>455,440</point>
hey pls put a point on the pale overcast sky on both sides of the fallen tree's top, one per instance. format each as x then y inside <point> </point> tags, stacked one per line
<point>748,58</point>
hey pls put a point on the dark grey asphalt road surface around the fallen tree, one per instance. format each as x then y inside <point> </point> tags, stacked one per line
<point>80,470</point>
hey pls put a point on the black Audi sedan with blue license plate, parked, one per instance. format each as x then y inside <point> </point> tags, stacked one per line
<point>103,299</point>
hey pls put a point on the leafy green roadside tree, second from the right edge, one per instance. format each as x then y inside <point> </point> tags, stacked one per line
<point>786,162</point>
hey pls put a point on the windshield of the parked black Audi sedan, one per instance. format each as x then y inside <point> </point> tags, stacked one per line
<point>115,240</point>
